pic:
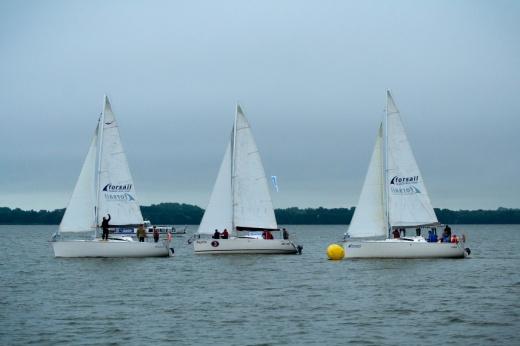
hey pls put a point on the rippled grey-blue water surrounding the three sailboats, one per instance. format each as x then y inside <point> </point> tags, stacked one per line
<point>260,300</point>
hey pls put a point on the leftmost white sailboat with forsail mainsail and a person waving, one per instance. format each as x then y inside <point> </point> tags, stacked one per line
<point>105,186</point>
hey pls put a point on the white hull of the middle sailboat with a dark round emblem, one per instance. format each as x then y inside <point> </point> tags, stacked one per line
<point>244,246</point>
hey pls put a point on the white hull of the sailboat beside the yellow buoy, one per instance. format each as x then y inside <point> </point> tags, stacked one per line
<point>393,248</point>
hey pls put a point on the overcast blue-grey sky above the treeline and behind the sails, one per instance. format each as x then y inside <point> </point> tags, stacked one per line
<point>311,76</point>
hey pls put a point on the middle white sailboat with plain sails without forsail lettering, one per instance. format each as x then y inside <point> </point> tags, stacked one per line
<point>241,203</point>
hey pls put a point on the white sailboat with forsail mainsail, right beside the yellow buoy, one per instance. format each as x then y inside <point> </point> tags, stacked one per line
<point>394,199</point>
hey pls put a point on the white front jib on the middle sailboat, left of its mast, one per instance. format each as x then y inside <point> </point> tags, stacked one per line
<point>219,213</point>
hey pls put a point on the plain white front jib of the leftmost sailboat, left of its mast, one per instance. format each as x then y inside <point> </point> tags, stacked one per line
<point>80,213</point>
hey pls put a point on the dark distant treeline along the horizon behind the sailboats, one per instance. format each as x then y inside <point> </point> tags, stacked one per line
<point>175,213</point>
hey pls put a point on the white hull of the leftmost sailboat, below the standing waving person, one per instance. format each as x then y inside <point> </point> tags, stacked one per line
<point>101,248</point>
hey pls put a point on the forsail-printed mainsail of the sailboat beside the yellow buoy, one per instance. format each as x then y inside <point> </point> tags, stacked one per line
<point>408,201</point>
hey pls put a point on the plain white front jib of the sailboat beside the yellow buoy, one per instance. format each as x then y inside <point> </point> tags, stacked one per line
<point>369,217</point>
